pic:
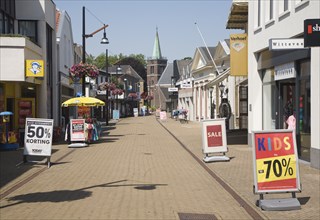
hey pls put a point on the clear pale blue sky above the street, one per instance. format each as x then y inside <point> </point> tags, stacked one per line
<point>132,25</point>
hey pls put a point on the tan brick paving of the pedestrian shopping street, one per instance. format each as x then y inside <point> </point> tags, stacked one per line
<point>139,171</point>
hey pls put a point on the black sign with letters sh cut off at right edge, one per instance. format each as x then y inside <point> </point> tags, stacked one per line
<point>311,32</point>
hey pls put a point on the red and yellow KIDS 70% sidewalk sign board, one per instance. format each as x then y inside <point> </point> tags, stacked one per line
<point>275,161</point>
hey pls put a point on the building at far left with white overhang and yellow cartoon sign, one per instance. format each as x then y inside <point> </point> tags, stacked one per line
<point>28,38</point>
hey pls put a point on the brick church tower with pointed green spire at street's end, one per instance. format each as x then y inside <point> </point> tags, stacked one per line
<point>155,67</point>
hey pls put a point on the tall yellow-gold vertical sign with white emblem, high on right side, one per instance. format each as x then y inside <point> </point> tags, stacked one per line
<point>238,55</point>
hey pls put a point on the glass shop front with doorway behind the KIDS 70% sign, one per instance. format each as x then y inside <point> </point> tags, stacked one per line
<point>286,93</point>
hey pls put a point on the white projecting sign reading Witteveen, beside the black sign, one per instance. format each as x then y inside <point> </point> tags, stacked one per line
<point>286,44</point>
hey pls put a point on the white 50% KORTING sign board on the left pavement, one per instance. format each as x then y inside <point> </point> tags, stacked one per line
<point>38,136</point>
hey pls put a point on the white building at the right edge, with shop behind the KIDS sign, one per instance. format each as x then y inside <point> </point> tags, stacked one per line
<point>272,97</point>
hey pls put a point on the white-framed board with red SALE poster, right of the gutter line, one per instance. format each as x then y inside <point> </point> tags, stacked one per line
<point>214,138</point>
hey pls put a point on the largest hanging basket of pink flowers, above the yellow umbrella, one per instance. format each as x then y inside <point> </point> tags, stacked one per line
<point>77,71</point>
